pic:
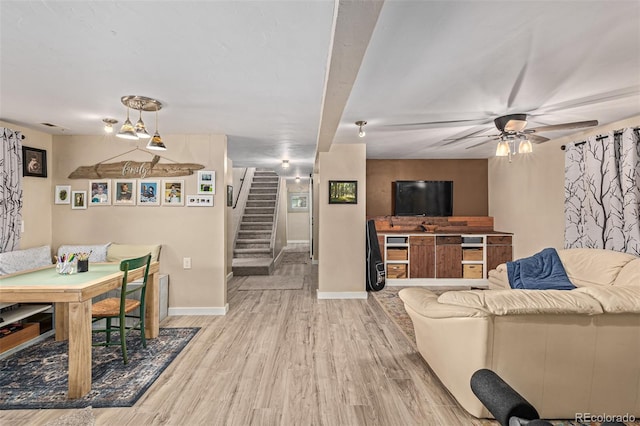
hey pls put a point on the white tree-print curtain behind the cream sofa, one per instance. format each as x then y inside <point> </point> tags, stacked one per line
<point>602,197</point>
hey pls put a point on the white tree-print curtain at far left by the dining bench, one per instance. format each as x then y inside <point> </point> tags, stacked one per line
<point>11,189</point>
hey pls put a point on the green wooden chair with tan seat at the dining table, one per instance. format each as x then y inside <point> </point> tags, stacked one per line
<point>123,307</point>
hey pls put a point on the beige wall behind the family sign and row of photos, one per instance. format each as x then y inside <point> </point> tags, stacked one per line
<point>196,232</point>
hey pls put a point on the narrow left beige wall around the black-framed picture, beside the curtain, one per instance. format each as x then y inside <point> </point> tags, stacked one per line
<point>37,192</point>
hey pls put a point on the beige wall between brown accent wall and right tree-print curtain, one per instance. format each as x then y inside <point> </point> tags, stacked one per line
<point>526,196</point>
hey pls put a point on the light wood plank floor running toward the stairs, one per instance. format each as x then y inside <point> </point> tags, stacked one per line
<point>282,357</point>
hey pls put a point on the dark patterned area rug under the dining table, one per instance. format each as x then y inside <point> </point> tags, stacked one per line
<point>36,377</point>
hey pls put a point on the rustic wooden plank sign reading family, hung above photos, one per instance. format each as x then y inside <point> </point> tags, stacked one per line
<point>135,169</point>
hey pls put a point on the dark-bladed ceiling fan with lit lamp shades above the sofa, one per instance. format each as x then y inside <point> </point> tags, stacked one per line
<point>512,128</point>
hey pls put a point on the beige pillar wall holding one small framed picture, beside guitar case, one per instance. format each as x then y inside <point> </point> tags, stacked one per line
<point>342,227</point>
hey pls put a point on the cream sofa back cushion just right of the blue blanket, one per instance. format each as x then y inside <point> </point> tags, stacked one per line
<point>587,266</point>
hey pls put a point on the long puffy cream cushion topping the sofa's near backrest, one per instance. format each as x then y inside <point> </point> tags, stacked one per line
<point>524,302</point>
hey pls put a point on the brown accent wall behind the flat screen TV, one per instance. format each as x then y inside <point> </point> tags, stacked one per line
<point>470,183</point>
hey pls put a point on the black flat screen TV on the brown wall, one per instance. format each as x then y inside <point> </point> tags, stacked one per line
<point>423,198</point>
